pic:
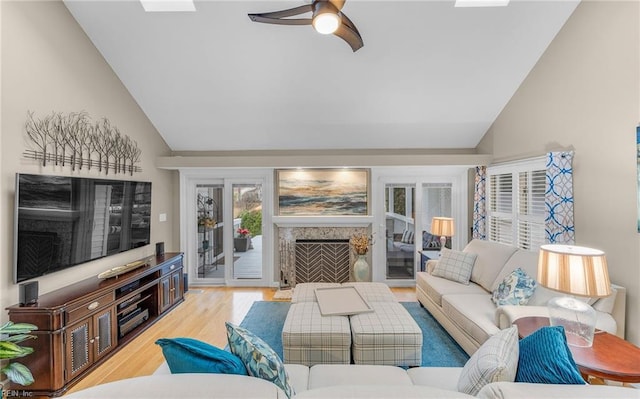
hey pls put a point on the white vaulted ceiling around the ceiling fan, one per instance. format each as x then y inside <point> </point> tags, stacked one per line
<point>430,75</point>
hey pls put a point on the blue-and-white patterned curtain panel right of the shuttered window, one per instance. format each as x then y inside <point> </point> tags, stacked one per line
<point>559,227</point>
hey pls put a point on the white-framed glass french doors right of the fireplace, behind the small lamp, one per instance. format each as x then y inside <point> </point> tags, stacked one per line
<point>408,204</point>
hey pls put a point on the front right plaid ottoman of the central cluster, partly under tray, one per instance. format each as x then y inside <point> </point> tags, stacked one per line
<point>389,335</point>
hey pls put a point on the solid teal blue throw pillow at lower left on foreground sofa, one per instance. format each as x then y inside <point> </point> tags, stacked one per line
<point>188,355</point>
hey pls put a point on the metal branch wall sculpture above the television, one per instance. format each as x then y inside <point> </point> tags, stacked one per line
<point>73,139</point>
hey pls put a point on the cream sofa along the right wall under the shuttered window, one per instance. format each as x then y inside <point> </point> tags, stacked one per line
<point>467,311</point>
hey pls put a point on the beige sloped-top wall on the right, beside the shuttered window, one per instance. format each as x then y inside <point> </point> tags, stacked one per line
<point>584,94</point>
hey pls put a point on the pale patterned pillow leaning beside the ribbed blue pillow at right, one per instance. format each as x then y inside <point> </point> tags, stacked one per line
<point>495,360</point>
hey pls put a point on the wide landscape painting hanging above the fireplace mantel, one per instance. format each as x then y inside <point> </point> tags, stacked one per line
<point>322,192</point>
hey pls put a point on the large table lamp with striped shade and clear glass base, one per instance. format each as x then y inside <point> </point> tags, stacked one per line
<point>577,271</point>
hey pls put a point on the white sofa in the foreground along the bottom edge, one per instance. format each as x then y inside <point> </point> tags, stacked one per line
<point>337,381</point>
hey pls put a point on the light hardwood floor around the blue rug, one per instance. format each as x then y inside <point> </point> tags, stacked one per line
<point>202,316</point>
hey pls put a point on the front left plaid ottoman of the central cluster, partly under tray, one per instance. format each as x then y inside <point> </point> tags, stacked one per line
<point>309,338</point>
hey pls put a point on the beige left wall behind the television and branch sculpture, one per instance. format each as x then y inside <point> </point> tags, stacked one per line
<point>48,64</point>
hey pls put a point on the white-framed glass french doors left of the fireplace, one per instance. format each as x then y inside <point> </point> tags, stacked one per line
<point>223,228</point>
